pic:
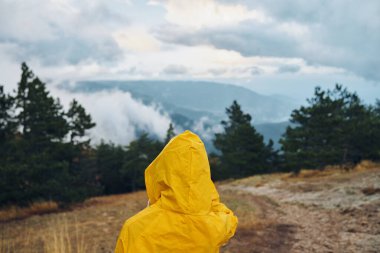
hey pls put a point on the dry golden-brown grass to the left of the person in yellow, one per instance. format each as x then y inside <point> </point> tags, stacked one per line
<point>90,227</point>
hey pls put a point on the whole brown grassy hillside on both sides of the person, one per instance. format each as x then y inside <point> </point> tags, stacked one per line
<point>316,211</point>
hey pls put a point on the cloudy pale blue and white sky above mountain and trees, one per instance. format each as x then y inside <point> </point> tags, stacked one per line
<point>273,47</point>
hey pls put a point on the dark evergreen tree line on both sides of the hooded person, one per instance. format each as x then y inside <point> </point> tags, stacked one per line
<point>45,152</point>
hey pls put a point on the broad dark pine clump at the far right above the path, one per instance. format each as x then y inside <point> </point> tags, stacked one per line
<point>335,128</point>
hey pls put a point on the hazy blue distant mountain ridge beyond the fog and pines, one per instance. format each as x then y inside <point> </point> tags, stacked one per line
<point>195,99</point>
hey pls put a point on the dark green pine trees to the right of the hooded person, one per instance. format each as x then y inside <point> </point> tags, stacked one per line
<point>334,128</point>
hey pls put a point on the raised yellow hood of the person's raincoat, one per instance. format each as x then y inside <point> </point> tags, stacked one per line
<point>179,178</point>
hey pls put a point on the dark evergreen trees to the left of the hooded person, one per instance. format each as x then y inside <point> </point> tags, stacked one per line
<point>45,153</point>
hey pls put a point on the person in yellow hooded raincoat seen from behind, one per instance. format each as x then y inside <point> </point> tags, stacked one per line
<point>184,214</point>
